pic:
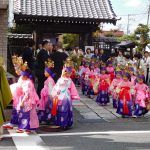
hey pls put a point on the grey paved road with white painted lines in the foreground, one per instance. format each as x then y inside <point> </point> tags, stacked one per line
<point>95,128</point>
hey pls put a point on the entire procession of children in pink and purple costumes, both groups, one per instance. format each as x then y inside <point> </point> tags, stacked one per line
<point>123,86</point>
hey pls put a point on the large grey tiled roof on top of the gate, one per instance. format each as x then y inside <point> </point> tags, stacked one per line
<point>91,9</point>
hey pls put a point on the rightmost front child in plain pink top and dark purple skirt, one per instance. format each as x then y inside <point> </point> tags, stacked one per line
<point>141,95</point>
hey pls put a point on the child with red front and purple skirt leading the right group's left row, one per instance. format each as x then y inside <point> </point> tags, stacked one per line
<point>104,83</point>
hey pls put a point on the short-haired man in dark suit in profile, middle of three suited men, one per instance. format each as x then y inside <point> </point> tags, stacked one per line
<point>41,58</point>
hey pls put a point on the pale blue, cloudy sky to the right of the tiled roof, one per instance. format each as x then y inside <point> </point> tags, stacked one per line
<point>124,7</point>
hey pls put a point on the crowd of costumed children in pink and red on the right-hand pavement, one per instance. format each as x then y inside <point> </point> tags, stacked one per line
<point>122,86</point>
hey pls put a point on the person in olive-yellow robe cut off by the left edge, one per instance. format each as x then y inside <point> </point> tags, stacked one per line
<point>5,95</point>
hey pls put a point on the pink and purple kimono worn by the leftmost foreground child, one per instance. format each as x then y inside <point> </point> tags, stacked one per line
<point>25,115</point>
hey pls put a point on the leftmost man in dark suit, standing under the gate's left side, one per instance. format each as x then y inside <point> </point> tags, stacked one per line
<point>28,54</point>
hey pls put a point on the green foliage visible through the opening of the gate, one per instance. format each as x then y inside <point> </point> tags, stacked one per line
<point>70,40</point>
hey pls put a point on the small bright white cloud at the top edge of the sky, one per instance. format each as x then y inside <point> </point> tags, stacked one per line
<point>133,3</point>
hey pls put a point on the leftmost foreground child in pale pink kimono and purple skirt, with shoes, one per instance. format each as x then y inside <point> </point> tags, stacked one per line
<point>25,102</point>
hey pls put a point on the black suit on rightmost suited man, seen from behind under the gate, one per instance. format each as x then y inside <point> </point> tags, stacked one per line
<point>58,58</point>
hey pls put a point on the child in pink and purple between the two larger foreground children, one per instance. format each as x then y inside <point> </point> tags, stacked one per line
<point>45,103</point>
